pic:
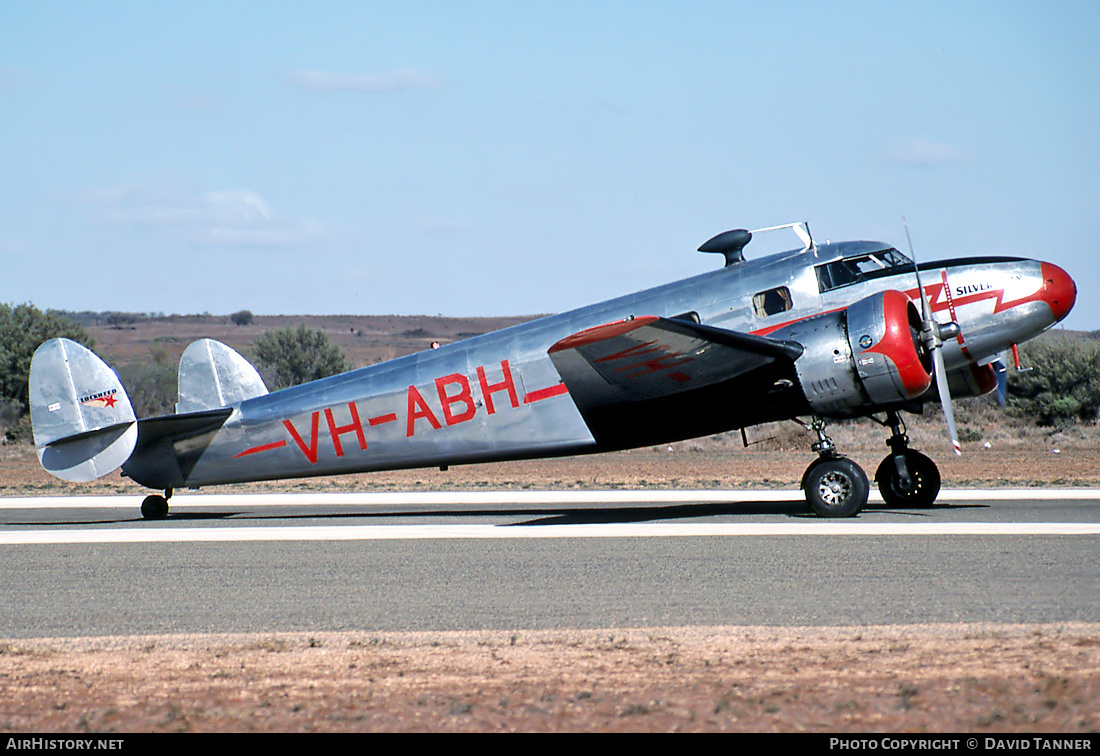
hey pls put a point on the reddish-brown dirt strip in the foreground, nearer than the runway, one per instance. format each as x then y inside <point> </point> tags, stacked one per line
<point>947,680</point>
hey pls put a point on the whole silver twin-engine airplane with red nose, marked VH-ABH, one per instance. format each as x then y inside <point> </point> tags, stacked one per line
<point>822,332</point>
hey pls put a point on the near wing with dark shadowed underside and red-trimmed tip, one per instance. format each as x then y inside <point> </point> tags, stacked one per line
<point>662,379</point>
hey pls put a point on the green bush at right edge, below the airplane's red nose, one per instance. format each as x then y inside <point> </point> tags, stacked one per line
<point>1063,386</point>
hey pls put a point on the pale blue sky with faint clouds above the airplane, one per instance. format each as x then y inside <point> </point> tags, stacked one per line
<point>508,159</point>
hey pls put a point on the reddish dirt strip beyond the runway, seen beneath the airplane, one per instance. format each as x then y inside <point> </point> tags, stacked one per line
<point>711,464</point>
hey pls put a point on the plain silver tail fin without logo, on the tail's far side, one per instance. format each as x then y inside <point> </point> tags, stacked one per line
<point>214,376</point>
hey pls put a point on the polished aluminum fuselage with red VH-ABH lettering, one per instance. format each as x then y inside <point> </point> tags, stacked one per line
<point>499,397</point>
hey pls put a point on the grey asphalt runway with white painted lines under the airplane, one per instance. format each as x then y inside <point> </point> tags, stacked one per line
<point>91,566</point>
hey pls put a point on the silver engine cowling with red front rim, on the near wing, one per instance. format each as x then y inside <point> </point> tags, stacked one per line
<point>865,356</point>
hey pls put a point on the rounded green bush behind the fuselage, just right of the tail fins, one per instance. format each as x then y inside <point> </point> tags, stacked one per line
<point>291,357</point>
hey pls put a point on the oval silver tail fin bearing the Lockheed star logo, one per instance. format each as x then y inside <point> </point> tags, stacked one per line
<point>84,425</point>
